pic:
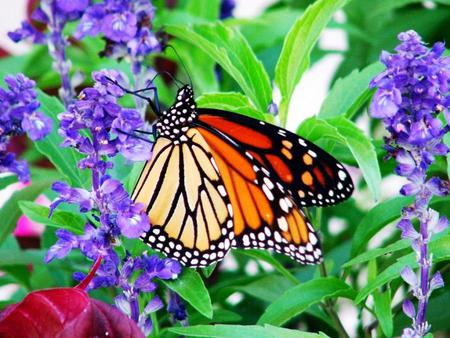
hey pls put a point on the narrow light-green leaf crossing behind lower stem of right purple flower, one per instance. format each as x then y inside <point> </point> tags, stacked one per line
<point>440,250</point>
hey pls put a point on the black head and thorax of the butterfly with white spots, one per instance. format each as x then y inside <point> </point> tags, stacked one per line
<point>175,121</point>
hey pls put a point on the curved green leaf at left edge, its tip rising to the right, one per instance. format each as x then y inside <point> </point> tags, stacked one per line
<point>10,212</point>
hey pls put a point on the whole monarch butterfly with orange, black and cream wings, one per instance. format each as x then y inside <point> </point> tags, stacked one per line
<point>219,180</point>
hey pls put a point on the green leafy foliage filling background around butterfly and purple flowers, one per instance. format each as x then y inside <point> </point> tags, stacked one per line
<point>235,64</point>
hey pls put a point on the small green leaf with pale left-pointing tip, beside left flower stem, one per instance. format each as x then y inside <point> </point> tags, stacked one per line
<point>60,219</point>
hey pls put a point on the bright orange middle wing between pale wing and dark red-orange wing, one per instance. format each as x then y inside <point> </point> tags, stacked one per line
<point>264,215</point>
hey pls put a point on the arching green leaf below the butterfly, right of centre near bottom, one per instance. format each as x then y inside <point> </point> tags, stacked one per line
<point>299,298</point>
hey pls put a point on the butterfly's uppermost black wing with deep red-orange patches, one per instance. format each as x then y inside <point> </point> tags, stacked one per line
<point>311,175</point>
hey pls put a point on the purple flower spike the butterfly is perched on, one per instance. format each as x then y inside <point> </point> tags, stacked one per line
<point>99,128</point>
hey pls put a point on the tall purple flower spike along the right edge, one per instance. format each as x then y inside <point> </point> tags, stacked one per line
<point>411,93</point>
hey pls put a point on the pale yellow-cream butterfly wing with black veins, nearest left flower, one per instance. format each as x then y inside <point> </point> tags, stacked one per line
<point>187,203</point>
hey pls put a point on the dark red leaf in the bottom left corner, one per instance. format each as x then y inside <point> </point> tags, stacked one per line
<point>64,313</point>
